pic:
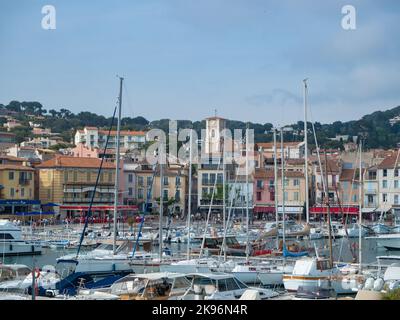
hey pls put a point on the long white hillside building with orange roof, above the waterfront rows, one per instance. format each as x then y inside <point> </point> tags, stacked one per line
<point>96,138</point>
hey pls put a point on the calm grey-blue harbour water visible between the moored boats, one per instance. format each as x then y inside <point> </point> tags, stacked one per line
<point>370,252</point>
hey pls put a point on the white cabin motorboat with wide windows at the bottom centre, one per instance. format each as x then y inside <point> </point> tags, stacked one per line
<point>220,286</point>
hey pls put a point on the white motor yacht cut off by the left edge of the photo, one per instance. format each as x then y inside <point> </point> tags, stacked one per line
<point>11,242</point>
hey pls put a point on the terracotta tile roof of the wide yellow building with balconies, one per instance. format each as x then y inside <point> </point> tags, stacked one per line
<point>75,162</point>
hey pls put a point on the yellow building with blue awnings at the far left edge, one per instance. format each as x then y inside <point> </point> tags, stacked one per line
<point>17,187</point>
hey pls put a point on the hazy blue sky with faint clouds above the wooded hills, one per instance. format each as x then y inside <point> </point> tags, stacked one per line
<point>184,58</point>
